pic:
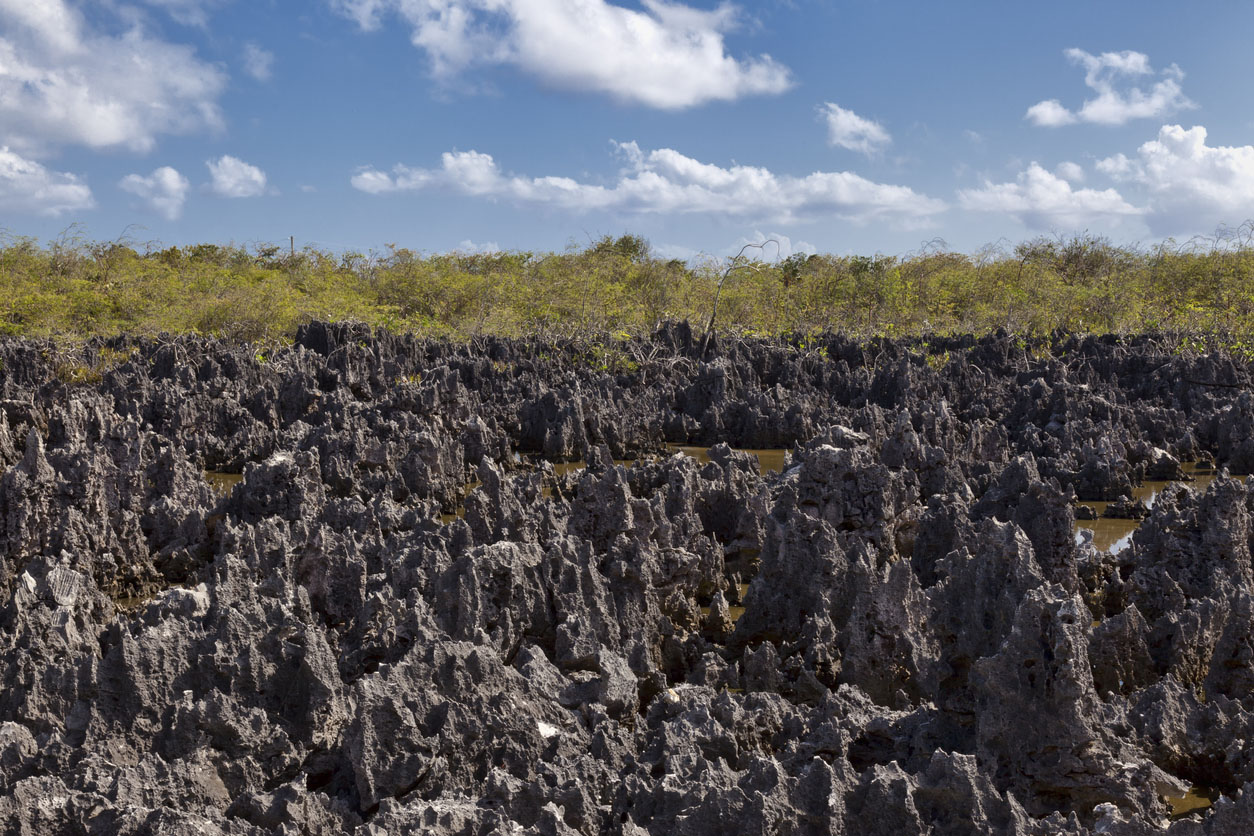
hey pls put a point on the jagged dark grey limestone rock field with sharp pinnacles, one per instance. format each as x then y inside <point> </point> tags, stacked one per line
<point>349,641</point>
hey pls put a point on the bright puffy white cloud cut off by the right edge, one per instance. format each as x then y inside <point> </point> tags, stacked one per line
<point>1192,185</point>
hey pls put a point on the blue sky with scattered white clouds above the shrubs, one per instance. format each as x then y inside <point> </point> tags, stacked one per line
<point>827,126</point>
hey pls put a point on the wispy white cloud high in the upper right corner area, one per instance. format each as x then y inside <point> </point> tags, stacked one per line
<point>1113,77</point>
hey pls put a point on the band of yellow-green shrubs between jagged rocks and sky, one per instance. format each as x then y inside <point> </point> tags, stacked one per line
<point>1201,291</point>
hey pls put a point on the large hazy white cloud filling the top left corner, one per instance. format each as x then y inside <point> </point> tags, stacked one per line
<point>65,83</point>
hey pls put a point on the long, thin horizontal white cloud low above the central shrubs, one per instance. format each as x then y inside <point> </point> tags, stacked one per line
<point>667,182</point>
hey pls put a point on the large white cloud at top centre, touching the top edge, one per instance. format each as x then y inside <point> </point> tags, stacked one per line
<point>667,56</point>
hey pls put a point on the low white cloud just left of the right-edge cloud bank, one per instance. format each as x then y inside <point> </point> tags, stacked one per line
<point>1041,201</point>
